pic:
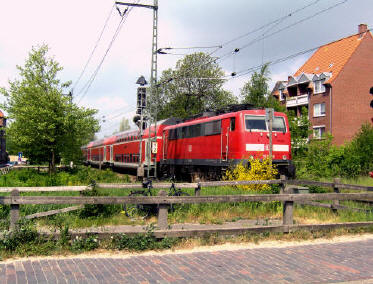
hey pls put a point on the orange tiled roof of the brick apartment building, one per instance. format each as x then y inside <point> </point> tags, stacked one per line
<point>331,57</point>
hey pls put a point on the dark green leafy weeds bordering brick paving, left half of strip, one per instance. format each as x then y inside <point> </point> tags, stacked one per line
<point>26,241</point>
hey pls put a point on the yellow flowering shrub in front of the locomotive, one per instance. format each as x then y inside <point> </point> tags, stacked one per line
<point>256,170</point>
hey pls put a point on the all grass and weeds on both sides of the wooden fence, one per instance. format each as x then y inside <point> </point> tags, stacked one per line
<point>27,243</point>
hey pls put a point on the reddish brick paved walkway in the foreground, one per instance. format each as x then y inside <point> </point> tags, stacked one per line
<point>320,263</point>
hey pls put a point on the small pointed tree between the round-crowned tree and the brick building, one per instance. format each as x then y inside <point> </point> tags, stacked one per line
<point>255,91</point>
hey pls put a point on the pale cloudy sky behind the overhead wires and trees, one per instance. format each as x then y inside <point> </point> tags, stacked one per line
<point>72,28</point>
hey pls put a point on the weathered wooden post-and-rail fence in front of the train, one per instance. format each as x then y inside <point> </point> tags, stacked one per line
<point>287,196</point>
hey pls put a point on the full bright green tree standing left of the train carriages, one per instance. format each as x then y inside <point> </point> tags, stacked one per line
<point>45,125</point>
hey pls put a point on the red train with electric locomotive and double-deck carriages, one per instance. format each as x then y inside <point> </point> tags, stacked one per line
<point>203,146</point>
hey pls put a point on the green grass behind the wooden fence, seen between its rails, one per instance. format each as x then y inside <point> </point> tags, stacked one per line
<point>210,213</point>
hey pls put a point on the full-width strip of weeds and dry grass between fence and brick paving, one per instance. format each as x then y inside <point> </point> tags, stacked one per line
<point>25,241</point>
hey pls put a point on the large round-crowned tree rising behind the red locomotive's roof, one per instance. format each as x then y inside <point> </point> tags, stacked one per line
<point>192,87</point>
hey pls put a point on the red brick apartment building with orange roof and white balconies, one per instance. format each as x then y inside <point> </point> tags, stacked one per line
<point>334,85</point>
